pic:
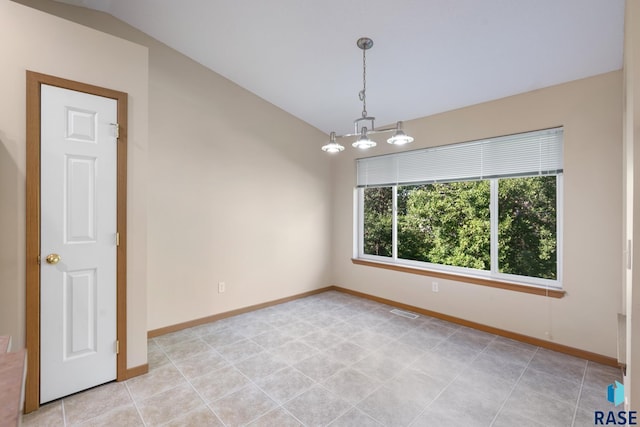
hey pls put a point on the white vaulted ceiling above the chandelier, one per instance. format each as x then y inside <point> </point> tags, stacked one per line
<point>429,56</point>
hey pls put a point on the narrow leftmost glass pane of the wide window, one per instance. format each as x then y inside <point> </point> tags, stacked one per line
<point>378,212</point>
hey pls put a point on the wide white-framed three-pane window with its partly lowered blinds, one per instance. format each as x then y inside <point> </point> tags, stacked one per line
<point>489,208</point>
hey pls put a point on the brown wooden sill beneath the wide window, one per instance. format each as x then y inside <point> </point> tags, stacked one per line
<point>552,293</point>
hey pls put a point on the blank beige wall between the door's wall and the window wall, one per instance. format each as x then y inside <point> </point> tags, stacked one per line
<point>238,190</point>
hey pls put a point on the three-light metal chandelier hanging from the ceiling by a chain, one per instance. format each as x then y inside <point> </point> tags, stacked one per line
<point>364,126</point>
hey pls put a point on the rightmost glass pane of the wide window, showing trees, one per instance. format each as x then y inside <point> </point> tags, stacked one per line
<point>527,243</point>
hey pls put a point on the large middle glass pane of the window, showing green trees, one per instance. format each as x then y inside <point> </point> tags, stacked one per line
<point>445,224</point>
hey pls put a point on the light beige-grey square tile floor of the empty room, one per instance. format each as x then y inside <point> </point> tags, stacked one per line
<point>335,359</point>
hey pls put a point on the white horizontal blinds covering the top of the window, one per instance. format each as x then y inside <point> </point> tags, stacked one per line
<point>524,154</point>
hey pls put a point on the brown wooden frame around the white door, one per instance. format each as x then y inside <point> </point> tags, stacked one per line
<point>32,309</point>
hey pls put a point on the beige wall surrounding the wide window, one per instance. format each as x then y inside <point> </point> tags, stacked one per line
<point>591,112</point>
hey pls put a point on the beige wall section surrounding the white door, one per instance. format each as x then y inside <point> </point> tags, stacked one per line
<point>32,40</point>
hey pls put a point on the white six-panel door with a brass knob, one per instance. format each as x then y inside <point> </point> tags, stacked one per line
<point>78,242</point>
